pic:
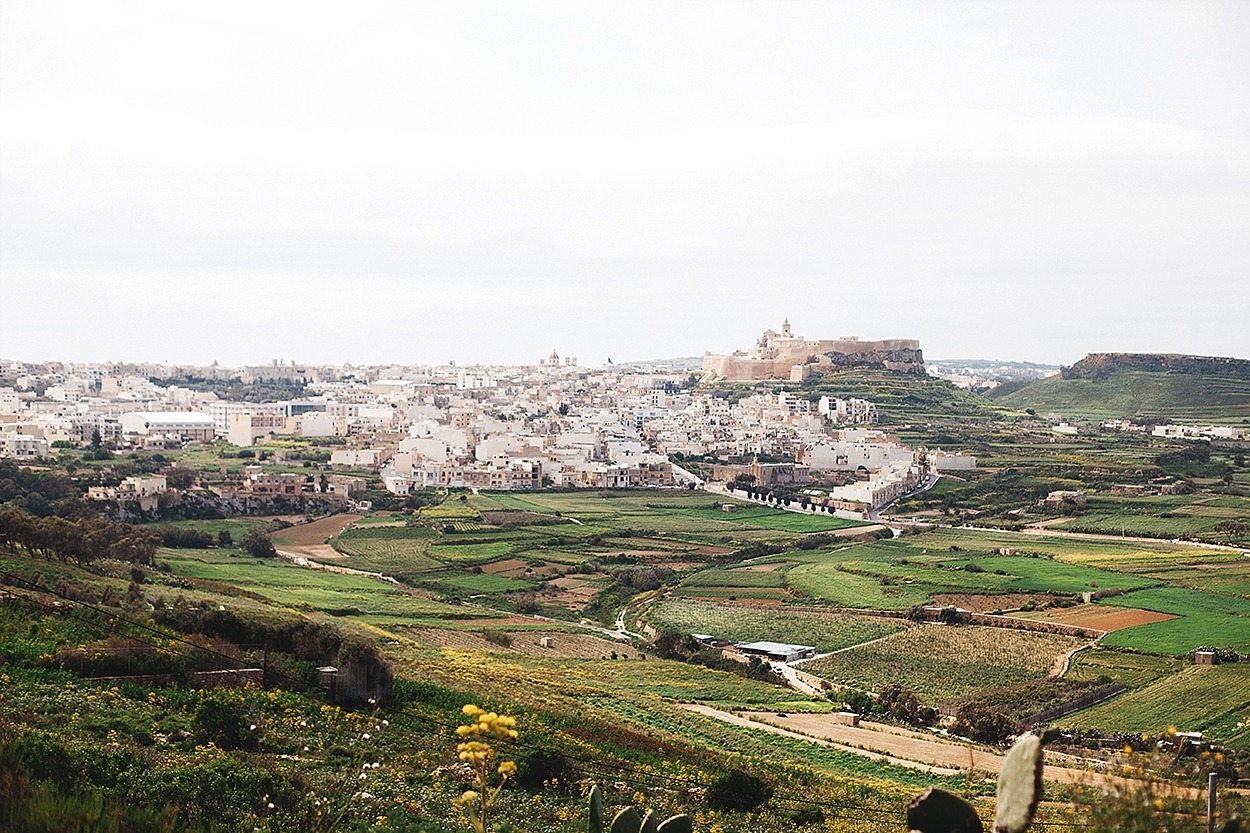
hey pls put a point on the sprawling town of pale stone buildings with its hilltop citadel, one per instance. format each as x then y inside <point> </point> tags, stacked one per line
<point>553,425</point>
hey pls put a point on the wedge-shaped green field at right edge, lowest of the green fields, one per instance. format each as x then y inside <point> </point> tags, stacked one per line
<point>1201,699</point>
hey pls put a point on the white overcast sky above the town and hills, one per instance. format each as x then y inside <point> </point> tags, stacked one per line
<point>482,182</point>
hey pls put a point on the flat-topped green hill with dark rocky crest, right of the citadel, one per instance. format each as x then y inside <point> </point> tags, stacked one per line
<point>1163,387</point>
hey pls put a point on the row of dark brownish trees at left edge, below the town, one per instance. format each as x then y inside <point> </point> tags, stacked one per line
<point>82,541</point>
